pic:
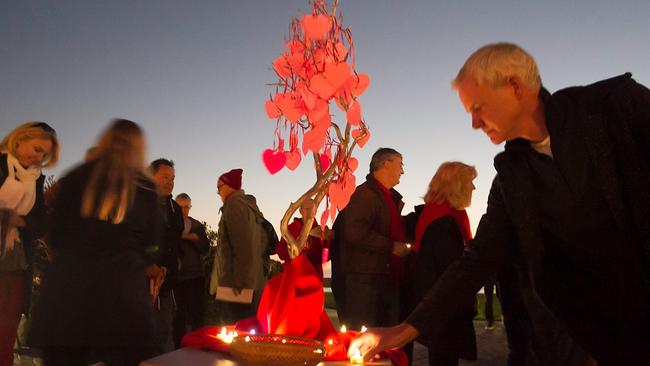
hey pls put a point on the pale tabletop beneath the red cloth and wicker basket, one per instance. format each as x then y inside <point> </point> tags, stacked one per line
<point>196,357</point>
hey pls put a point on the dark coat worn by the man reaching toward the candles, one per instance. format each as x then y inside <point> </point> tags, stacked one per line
<point>608,124</point>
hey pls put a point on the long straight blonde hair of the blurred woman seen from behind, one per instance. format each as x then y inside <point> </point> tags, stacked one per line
<point>119,163</point>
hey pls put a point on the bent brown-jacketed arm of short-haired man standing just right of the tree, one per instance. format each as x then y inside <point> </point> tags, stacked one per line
<point>360,216</point>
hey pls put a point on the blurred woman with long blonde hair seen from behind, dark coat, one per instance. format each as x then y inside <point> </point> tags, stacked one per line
<point>95,304</point>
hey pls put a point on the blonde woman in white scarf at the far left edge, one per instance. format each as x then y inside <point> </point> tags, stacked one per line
<point>23,153</point>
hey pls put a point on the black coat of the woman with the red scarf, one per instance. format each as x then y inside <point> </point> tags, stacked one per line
<point>441,244</point>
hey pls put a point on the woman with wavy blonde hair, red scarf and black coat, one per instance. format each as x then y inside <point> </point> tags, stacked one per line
<point>441,232</point>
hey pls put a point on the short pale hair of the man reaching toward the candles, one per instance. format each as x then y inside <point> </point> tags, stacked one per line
<point>493,64</point>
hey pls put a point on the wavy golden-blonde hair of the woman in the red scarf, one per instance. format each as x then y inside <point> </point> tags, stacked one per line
<point>450,184</point>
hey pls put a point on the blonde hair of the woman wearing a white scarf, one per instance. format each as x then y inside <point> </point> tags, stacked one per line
<point>28,131</point>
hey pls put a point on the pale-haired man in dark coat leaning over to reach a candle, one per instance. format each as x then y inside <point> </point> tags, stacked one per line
<point>570,206</point>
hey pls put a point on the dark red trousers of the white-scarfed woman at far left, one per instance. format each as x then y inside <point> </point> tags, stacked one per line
<point>11,301</point>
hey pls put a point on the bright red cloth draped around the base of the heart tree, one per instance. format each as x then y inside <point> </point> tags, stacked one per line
<point>293,304</point>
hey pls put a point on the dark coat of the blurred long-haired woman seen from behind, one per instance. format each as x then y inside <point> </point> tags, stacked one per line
<point>95,293</point>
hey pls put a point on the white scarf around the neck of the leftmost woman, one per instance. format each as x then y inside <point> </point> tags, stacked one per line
<point>18,193</point>
